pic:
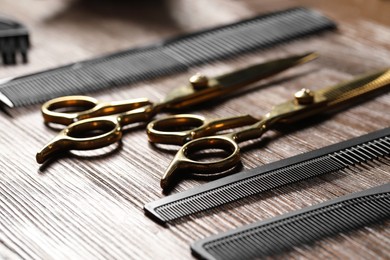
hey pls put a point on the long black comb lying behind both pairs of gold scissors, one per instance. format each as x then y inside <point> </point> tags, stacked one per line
<point>164,58</point>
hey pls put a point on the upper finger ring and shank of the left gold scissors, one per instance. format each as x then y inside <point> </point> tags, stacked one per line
<point>69,109</point>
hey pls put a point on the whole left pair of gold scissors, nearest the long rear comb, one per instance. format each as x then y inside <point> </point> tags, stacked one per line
<point>104,121</point>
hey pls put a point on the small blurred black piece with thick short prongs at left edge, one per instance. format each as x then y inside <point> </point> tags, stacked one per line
<point>14,40</point>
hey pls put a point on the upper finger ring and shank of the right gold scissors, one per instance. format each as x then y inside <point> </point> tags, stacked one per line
<point>180,129</point>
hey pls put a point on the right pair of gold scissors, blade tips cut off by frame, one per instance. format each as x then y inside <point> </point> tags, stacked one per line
<point>202,134</point>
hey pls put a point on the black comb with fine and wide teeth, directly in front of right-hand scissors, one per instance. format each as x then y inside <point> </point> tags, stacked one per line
<point>263,178</point>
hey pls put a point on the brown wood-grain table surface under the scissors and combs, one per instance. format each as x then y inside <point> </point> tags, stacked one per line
<point>88,205</point>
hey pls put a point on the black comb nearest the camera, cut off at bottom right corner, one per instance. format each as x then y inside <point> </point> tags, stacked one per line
<point>282,233</point>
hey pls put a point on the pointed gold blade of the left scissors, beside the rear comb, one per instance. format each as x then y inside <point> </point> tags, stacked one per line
<point>193,94</point>
